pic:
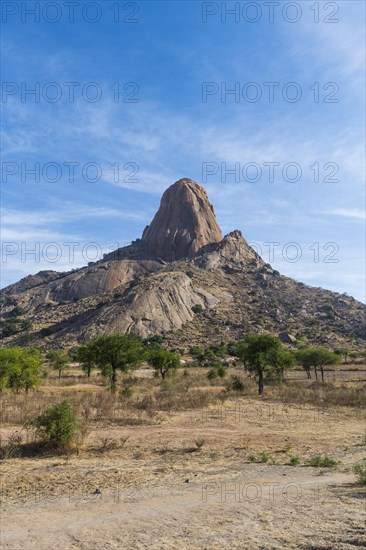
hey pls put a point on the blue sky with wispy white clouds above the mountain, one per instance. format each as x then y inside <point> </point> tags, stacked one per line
<point>164,126</point>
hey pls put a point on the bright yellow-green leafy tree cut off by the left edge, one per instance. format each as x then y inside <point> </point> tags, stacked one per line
<point>20,368</point>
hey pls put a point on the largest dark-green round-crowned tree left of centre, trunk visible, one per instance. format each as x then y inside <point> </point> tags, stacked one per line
<point>117,352</point>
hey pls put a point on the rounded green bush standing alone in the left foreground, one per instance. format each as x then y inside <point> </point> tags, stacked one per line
<point>57,426</point>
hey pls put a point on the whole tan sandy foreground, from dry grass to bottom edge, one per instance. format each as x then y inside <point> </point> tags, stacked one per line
<point>187,482</point>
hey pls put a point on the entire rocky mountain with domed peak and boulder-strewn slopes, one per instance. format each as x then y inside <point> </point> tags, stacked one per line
<point>182,279</point>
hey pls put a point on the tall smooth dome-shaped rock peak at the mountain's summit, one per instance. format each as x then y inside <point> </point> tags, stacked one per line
<point>184,223</point>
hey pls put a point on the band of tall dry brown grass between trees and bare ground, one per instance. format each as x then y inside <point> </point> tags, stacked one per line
<point>94,404</point>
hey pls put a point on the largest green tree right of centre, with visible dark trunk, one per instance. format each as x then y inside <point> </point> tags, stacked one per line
<point>264,356</point>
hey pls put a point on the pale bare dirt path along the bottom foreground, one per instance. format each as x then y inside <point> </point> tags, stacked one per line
<point>288,508</point>
